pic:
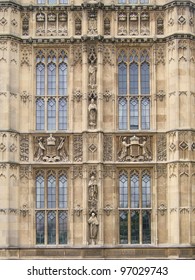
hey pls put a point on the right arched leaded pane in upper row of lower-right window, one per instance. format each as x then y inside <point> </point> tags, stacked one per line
<point>146,192</point>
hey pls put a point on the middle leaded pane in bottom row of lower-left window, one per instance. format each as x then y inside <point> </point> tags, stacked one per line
<point>51,227</point>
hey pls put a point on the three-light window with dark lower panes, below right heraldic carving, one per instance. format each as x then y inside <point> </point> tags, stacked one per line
<point>135,207</point>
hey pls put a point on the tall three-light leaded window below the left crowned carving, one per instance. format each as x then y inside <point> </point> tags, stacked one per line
<point>51,213</point>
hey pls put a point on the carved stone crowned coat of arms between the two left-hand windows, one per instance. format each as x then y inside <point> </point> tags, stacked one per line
<point>51,149</point>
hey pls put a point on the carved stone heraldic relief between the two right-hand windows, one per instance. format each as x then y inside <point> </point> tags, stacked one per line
<point>134,148</point>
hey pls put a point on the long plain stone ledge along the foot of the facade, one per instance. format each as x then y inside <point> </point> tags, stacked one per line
<point>97,252</point>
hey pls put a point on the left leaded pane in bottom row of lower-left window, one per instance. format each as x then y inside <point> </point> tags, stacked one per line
<point>40,228</point>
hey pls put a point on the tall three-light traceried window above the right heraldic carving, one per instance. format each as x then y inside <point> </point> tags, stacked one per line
<point>134,90</point>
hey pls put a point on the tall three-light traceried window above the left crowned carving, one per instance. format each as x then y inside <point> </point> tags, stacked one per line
<point>52,86</point>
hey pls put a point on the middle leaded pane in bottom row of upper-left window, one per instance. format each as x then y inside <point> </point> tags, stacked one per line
<point>51,114</point>
